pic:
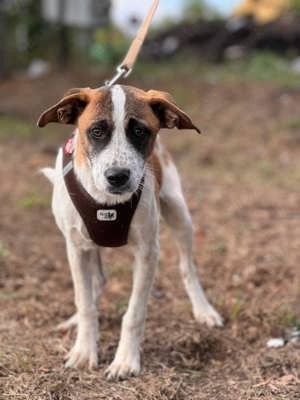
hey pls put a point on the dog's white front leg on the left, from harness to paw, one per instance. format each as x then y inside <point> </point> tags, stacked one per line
<point>82,266</point>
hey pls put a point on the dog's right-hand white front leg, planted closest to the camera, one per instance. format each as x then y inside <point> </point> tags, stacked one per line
<point>127,359</point>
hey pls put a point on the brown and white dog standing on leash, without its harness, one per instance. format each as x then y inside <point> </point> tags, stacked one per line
<point>116,145</point>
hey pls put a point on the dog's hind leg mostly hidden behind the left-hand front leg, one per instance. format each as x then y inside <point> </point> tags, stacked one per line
<point>98,282</point>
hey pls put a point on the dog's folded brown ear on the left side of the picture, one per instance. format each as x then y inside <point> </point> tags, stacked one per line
<point>68,109</point>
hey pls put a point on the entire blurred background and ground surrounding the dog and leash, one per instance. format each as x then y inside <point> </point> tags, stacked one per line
<point>234,66</point>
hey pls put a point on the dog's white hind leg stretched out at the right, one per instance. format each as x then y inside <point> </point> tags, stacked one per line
<point>177,216</point>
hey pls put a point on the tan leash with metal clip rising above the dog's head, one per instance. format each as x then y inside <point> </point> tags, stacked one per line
<point>125,68</point>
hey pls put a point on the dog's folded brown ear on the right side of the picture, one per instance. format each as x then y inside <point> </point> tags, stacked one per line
<point>169,114</point>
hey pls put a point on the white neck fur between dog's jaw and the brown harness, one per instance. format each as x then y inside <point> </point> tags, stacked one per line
<point>84,175</point>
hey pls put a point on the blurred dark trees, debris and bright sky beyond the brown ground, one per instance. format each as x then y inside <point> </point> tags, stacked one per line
<point>38,37</point>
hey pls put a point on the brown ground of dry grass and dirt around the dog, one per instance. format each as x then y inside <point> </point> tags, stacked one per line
<point>241,180</point>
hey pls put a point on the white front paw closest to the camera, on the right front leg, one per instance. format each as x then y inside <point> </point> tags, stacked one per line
<point>124,366</point>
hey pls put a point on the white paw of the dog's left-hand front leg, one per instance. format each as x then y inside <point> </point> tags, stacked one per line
<point>83,353</point>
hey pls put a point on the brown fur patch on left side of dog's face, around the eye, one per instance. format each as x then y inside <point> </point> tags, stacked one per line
<point>99,108</point>
